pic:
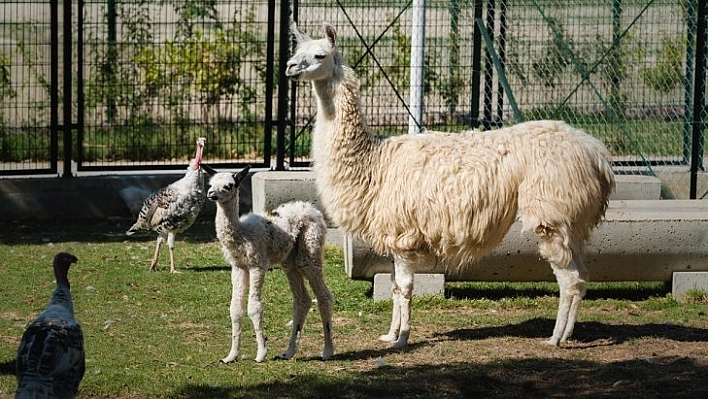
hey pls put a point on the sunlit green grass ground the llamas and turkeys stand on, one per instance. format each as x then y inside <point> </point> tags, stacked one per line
<point>161,335</point>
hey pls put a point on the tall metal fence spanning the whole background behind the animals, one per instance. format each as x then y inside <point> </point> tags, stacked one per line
<point>148,77</point>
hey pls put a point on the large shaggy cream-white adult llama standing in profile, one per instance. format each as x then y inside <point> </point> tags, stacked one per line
<point>451,197</point>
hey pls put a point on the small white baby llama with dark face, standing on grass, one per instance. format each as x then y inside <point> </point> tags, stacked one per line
<point>292,235</point>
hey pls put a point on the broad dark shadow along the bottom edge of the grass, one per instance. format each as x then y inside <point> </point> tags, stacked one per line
<point>674,377</point>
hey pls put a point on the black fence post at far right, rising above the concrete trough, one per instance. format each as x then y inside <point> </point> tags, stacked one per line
<point>698,98</point>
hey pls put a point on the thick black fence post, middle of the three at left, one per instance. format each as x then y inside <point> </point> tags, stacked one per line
<point>66,95</point>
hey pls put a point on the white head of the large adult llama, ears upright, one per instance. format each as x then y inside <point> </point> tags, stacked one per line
<point>314,59</point>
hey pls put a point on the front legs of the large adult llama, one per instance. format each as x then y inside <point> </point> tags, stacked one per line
<point>402,287</point>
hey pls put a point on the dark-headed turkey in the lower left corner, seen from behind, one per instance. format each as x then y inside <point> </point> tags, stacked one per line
<point>50,360</point>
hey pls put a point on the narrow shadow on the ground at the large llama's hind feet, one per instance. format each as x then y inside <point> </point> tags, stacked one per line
<point>585,332</point>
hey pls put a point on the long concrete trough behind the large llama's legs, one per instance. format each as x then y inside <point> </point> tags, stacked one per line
<point>639,241</point>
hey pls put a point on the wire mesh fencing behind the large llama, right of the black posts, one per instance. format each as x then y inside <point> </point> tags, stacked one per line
<point>620,69</point>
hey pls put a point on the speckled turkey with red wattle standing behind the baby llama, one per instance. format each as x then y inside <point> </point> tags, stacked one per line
<point>174,208</point>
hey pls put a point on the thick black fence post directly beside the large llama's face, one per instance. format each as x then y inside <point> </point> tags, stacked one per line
<point>284,51</point>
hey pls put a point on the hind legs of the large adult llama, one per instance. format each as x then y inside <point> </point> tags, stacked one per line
<point>571,274</point>
